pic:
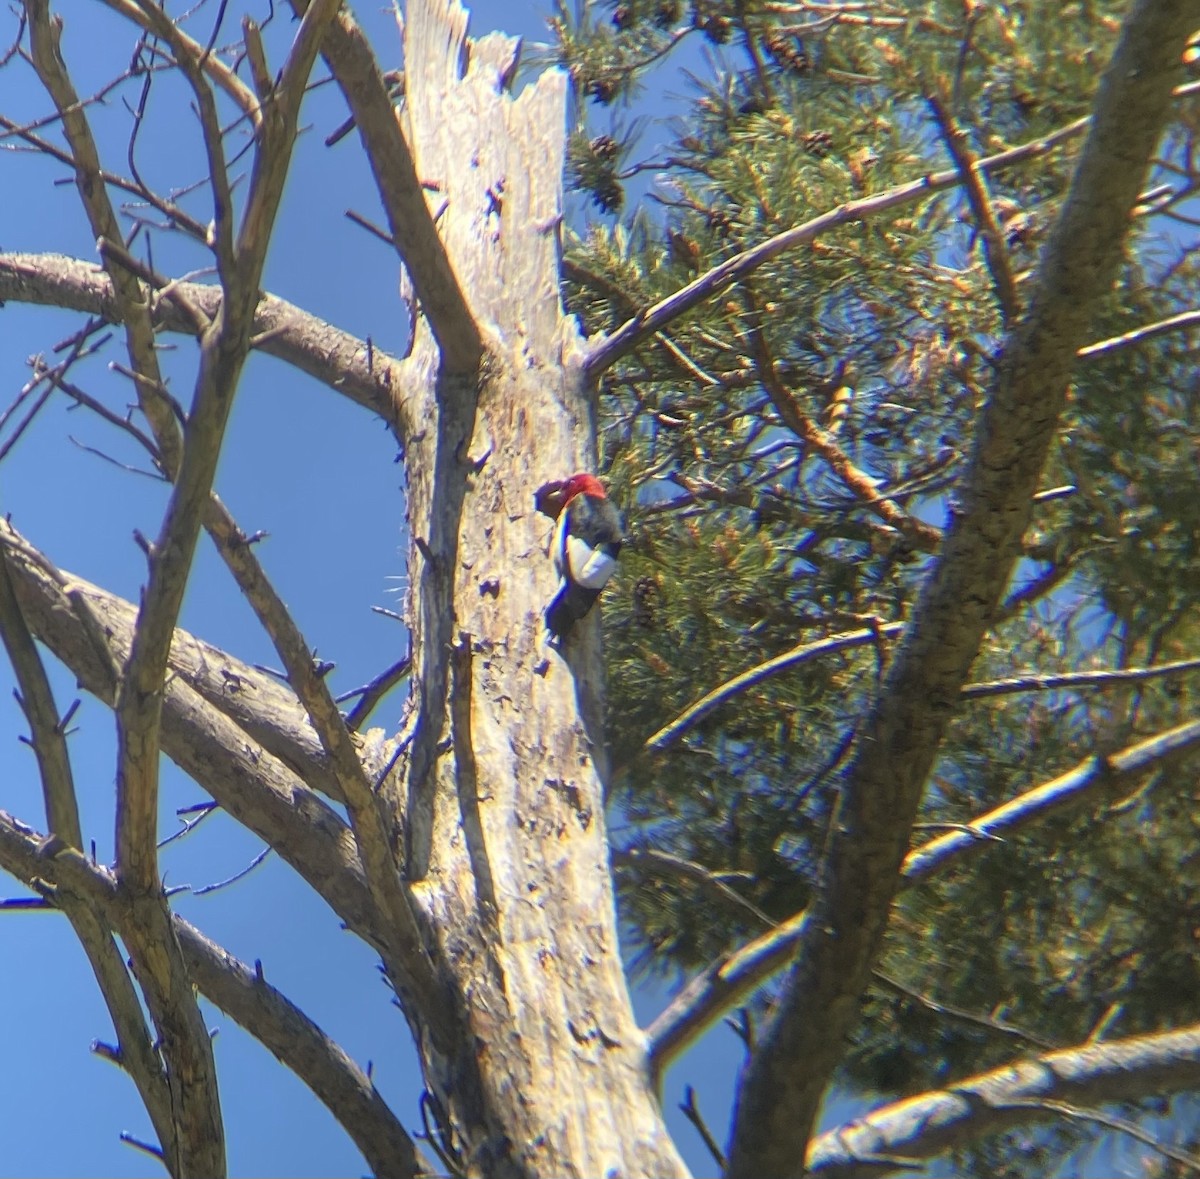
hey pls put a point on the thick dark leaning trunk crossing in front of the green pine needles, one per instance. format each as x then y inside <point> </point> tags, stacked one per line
<point>901,735</point>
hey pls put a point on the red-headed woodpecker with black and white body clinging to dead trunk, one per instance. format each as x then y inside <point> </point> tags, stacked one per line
<point>589,536</point>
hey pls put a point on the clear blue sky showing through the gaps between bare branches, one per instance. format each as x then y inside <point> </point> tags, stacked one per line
<point>316,474</point>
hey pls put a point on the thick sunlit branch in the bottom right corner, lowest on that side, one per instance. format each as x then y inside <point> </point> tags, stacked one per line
<point>922,1128</point>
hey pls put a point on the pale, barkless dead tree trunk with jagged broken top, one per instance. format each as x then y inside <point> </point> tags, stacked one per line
<point>499,795</point>
